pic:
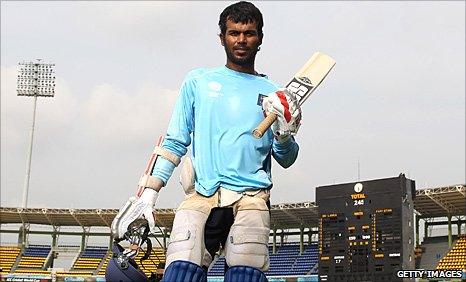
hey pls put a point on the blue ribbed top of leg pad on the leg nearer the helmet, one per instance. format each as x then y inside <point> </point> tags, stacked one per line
<point>184,271</point>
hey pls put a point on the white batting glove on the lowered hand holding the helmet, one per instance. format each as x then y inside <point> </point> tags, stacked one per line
<point>134,209</point>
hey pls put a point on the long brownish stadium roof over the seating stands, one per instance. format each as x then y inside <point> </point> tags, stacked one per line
<point>434,202</point>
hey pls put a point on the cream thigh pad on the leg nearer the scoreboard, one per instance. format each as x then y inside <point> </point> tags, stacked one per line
<point>247,242</point>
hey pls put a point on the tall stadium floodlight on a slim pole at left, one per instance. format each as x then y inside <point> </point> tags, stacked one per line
<point>35,79</point>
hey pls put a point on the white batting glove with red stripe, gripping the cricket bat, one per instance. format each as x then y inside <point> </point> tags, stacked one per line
<point>285,104</point>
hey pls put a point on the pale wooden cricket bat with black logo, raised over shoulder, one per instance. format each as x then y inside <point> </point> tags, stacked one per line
<point>303,84</point>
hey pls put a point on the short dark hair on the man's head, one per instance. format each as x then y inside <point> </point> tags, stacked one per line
<point>243,12</point>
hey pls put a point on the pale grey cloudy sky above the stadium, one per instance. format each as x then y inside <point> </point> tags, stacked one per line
<point>394,103</point>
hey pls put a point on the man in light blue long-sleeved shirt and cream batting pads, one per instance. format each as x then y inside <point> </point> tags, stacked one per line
<point>228,177</point>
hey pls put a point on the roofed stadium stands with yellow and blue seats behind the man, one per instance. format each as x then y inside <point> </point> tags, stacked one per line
<point>288,219</point>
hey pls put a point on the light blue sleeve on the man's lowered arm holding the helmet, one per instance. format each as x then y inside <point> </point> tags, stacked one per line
<point>181,125</point>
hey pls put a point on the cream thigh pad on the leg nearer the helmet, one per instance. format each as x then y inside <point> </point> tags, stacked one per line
<point>187,238</point>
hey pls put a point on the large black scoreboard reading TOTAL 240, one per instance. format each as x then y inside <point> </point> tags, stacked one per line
<point>366,229</point>
